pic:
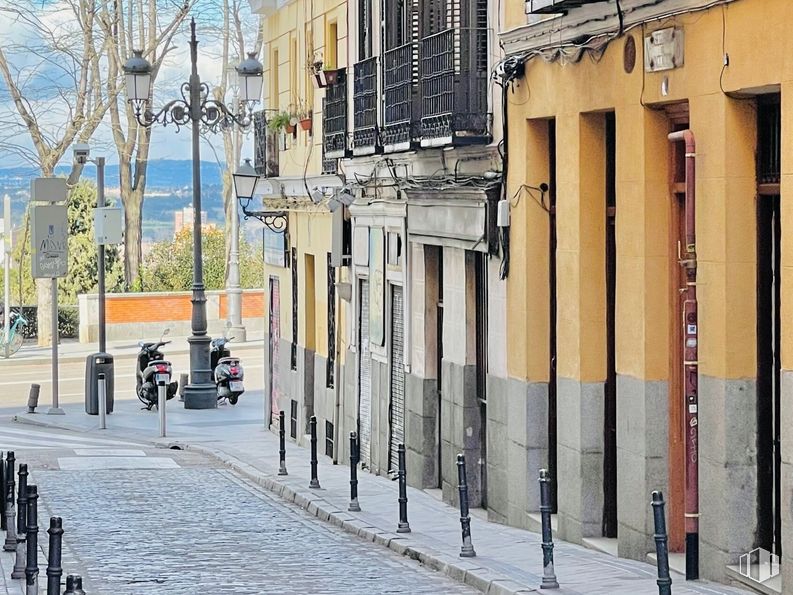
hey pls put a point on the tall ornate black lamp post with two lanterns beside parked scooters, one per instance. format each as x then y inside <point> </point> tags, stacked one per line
<point>196,108</point>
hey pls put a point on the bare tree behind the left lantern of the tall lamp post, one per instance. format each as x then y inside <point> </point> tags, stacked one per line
<point>149,26</point>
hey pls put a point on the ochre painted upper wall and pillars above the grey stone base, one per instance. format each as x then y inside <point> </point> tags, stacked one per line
<point>725,129</point>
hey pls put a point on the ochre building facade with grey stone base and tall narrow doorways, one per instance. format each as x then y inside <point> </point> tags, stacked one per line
<point>600,310</point>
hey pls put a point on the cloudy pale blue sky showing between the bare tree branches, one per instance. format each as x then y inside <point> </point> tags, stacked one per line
<point>41,78</point>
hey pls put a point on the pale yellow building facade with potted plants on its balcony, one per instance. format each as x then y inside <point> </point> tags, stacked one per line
<point>302,38</point>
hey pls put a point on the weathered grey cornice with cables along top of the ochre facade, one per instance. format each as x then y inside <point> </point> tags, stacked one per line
<point>601,18</point>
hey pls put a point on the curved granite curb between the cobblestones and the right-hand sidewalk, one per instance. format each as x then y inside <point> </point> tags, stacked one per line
<point>466,572</point>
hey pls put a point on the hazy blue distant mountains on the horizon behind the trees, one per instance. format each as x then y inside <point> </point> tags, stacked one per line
<point>169,188</point>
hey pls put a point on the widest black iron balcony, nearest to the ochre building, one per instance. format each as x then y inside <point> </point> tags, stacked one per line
<point>454,78</point>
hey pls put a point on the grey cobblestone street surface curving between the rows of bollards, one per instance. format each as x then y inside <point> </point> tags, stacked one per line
<point>198,529</point>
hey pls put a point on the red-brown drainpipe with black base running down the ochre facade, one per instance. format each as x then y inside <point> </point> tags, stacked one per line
<point>688,261</point>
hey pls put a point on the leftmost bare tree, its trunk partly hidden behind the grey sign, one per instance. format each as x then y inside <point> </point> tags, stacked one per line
<point>52,70</point>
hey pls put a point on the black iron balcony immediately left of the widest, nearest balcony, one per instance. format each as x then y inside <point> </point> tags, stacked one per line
<point>400,83</point>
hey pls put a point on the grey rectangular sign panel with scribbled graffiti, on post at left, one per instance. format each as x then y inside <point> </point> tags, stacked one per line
<point>49,241</point>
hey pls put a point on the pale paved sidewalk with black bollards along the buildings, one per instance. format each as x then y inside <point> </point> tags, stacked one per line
<point>508,560</point>
